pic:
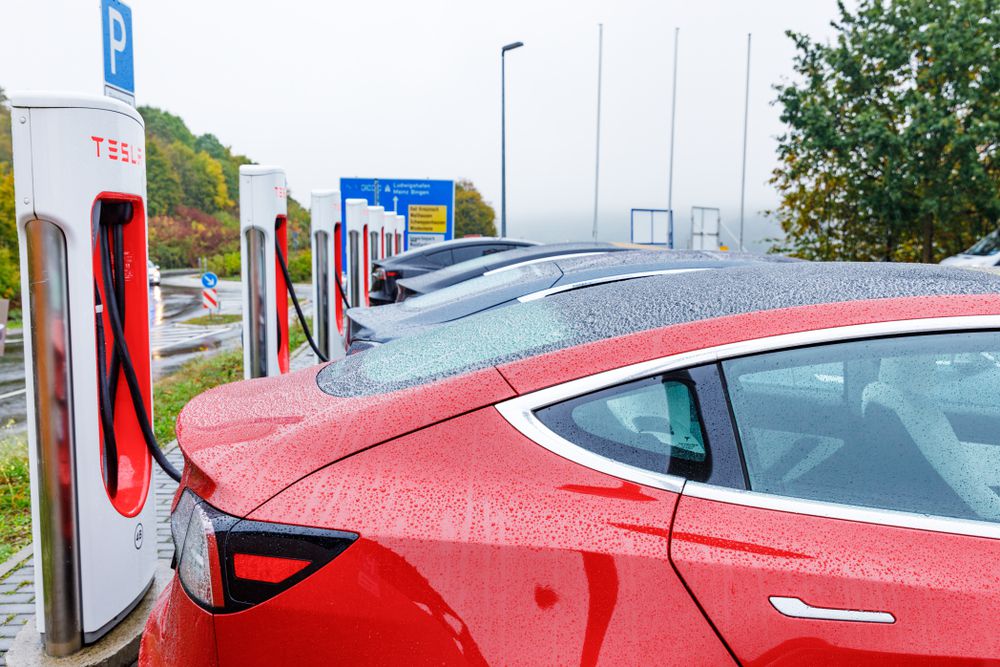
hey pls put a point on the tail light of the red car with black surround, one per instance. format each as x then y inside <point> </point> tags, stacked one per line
<point>227,564</point>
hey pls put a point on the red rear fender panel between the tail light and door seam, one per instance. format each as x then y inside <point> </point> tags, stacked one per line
<point>565,566</point>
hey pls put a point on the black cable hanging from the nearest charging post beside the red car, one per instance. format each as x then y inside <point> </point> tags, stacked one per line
<point>114,291</point>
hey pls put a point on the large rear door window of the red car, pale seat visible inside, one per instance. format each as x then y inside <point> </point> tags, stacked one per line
<point>909,424</point>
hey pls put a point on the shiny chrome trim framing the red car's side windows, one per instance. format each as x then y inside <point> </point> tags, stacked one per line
<point>519,412</point>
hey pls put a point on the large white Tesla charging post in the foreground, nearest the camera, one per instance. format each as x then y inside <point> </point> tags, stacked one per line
<point>80,183</point>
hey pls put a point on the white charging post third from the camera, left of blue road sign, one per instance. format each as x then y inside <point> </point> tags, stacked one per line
<point>327,243</point>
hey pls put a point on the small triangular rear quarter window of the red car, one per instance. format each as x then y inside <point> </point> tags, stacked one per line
<point>651,424</point>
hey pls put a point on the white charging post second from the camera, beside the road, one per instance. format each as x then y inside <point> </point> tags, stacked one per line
<point>263,231</point>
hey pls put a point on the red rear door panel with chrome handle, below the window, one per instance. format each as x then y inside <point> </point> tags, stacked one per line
<point>942,588</point>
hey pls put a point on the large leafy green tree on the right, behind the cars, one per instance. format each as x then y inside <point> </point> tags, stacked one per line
<point>893,134</point>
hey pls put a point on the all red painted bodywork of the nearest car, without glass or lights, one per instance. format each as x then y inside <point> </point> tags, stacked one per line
<point>494,550</point>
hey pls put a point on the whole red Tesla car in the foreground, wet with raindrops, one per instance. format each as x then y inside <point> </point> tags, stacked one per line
<point>775,464</point>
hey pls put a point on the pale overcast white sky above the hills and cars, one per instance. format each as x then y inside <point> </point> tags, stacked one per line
<point>404,89</point>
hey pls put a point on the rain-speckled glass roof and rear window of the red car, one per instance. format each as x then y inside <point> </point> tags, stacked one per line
<point>617,309</point>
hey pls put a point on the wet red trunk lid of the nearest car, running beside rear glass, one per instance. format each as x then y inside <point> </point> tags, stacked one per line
<point>246,441</point>
